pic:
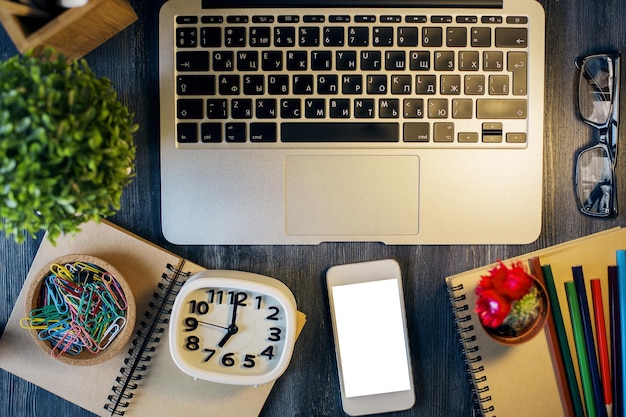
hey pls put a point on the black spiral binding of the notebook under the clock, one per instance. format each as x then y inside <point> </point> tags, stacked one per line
<point>135,364</point>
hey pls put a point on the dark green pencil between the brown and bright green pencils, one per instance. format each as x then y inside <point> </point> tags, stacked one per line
<point>568,363</point>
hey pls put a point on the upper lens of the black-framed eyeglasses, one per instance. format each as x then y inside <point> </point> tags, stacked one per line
<point>595,90</point>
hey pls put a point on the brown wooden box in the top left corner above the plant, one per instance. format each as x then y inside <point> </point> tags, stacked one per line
<point>75,31</point>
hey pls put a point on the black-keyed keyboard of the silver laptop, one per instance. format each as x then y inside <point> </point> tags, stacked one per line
<point>251,77</point>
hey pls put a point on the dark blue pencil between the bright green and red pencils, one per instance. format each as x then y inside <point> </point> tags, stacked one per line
<point>579,281</point>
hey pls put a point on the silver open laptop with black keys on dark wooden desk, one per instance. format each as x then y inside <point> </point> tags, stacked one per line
<point>301,122</point>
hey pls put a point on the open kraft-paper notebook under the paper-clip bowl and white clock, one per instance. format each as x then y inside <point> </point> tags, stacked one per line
<point>144,266</point>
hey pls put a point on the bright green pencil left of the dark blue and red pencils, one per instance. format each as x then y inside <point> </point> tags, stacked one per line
<point>581,350</point>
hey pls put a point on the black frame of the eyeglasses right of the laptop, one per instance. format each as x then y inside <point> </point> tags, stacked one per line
<point>608,131</point>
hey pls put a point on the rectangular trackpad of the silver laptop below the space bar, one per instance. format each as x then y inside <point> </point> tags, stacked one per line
<point>352,195</point>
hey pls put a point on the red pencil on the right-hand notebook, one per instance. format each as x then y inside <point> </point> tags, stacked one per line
<point>603,349</point>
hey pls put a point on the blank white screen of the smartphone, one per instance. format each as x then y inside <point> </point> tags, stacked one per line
<point>370,333</point>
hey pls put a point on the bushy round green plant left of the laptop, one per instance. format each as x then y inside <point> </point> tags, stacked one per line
<point>66,148</point>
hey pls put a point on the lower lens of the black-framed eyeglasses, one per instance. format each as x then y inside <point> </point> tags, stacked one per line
<point>594,181</point>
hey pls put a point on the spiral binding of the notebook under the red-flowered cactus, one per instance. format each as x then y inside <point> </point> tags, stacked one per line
<point>471,353</point>
